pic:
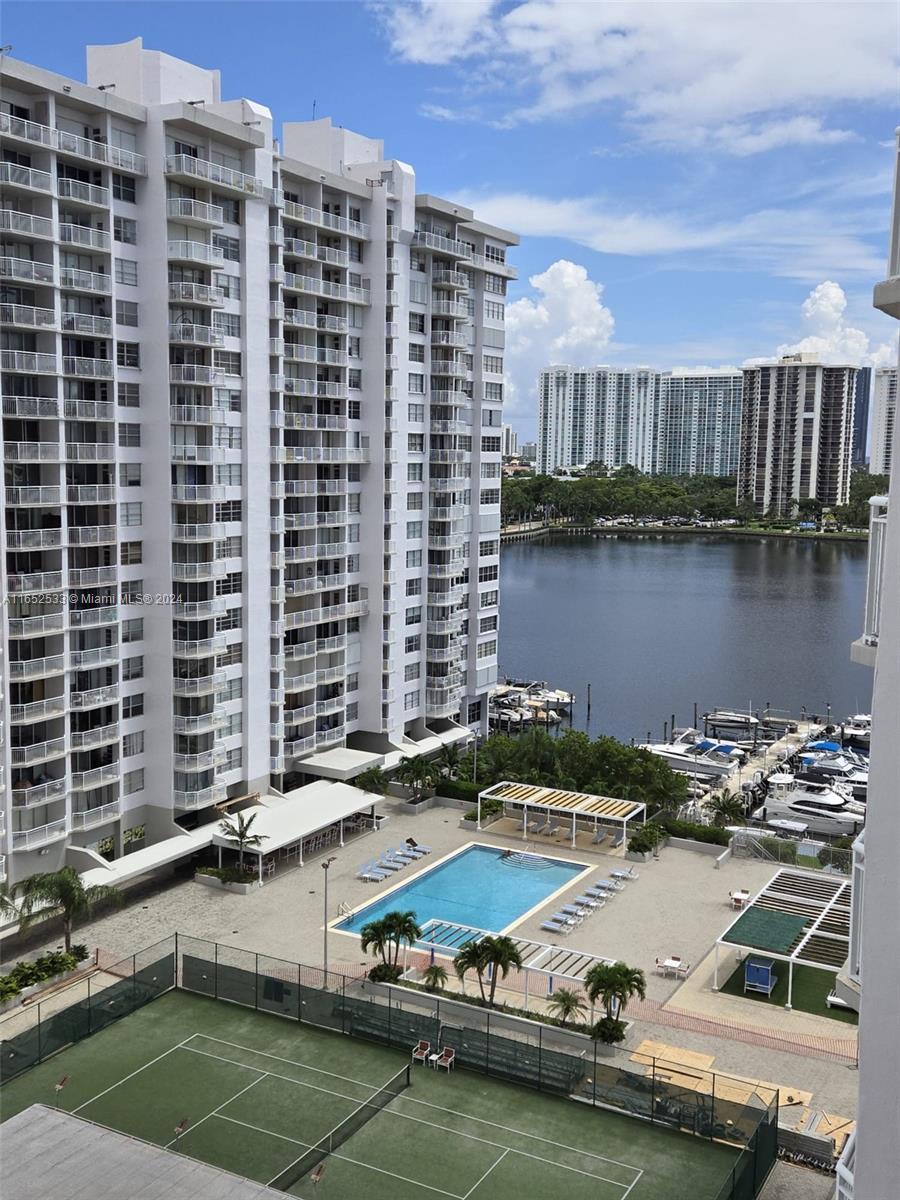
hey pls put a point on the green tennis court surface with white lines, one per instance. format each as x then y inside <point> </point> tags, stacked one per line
<point>253,1094</point>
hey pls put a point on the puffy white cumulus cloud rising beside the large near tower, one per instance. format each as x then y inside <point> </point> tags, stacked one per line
<point>565,321</point>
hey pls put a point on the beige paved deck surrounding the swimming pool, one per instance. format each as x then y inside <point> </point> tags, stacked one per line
<point>680,905</point>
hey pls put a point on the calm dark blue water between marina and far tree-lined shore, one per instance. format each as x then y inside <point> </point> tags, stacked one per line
<point>658,625</point>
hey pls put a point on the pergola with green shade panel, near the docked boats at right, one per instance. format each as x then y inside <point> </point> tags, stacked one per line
<point>797,919</point>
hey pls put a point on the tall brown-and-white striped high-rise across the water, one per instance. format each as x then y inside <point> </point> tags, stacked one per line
<point>796,435</point>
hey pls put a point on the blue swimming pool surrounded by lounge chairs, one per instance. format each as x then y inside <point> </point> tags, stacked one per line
<point>482,886</point>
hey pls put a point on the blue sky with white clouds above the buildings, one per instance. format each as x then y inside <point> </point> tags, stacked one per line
<point>697,184</point>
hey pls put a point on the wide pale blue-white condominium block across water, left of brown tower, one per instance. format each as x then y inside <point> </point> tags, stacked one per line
<point>679,423</point>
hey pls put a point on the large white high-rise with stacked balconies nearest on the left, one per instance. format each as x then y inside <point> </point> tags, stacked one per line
<point>251,453</point>
